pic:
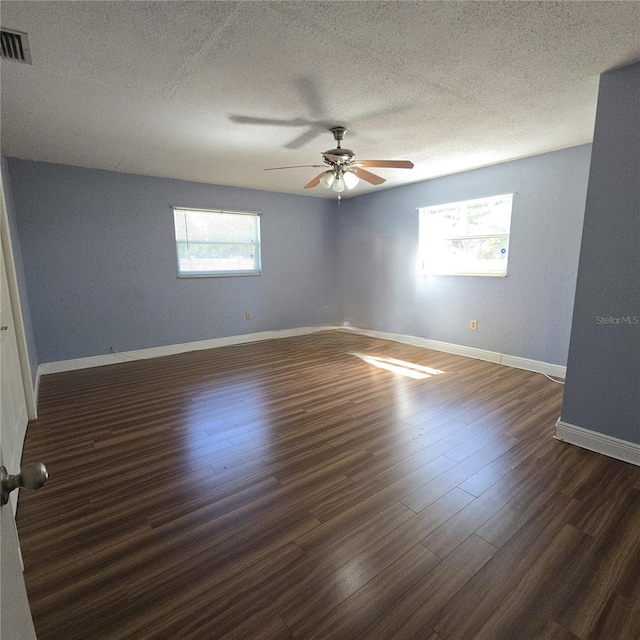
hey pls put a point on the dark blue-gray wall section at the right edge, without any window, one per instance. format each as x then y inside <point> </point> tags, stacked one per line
<point>603,376</point>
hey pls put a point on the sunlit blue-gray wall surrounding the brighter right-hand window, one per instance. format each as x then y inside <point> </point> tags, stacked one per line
<point>526,314</point>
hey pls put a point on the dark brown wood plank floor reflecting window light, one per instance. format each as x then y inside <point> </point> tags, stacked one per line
<point>292,489</point>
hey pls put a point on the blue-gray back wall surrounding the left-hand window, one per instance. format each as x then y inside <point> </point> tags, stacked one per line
<point>100,262</point>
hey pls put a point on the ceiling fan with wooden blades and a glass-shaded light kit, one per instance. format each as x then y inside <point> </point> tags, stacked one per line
<point>344,171</point>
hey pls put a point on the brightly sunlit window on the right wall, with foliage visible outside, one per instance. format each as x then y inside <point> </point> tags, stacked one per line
<point>465,238</point>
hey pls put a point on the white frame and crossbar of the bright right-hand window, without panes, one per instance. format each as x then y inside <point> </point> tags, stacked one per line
<point>423,269</point>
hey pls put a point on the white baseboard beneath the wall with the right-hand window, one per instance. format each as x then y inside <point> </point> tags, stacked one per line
<point>538,366</point>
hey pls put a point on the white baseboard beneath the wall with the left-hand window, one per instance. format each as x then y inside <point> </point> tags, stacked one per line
<point>169,350</point>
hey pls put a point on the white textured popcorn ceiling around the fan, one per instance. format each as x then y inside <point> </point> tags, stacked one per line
<point>161,88</point>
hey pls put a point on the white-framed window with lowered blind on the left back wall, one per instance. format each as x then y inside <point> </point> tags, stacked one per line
<point>217,243</point>
